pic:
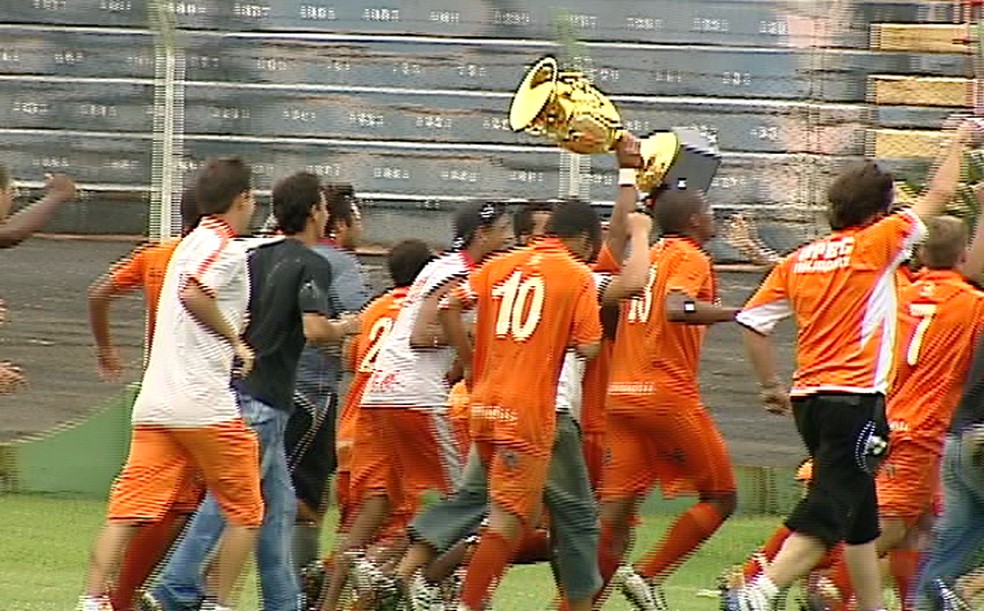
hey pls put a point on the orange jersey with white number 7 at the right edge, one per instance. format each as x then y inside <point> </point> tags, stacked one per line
<point>940,320</point>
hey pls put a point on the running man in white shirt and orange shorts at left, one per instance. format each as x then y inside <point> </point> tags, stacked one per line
<point>186,418</point>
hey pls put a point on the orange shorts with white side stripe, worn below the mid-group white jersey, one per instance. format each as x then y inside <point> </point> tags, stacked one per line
<point>403,454</point>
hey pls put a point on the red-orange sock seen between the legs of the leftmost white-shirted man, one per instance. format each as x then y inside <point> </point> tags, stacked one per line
<point>146,550</point>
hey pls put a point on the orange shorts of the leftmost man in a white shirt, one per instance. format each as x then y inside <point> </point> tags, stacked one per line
<point>165,461</point>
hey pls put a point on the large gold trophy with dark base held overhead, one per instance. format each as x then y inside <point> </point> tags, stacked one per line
<point>565,107</point>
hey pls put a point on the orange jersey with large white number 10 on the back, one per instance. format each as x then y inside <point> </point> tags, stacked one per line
<point>532,304</point>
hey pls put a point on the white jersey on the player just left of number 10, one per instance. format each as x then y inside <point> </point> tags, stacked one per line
<point>407,377</point>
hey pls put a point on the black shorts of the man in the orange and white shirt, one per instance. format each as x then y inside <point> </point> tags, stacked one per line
<point>841,503</point>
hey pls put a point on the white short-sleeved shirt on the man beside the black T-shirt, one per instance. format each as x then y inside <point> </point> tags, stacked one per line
<point>188,376</point>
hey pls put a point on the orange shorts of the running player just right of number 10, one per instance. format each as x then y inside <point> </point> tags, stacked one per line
<point>669,443</point>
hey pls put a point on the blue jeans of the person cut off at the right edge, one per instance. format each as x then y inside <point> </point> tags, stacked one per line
<point>959,534</point>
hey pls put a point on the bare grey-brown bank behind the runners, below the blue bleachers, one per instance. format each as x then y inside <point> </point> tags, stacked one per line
<point>44,284</point>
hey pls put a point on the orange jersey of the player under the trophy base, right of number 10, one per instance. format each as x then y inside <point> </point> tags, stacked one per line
<point>653,355</point>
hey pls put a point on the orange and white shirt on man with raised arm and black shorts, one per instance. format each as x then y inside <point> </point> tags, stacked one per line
<point>842,291</point>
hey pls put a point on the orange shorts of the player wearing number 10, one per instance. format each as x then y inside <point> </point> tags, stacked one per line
<point>516,478</point>
